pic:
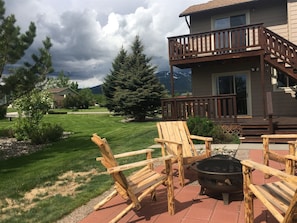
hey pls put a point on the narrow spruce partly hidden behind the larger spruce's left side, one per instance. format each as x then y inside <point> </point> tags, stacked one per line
<point>110,81</point>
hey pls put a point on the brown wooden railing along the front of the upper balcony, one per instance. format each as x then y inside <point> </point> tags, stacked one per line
<point>224,41</point>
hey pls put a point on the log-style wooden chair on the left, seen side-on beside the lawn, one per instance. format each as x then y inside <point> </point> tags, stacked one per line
<point>138,185</point>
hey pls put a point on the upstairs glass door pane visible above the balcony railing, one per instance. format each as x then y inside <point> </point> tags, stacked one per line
<point>230,21</point>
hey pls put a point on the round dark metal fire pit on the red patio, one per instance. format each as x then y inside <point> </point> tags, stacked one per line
<point>219,174</point>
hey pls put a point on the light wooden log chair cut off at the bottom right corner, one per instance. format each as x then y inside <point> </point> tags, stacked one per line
<point>279,197</point>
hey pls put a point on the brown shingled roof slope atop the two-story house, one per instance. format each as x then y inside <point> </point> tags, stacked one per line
<point>213,4</point>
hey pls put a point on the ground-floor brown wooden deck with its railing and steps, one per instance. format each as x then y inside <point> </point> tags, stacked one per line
<point>222,110</point>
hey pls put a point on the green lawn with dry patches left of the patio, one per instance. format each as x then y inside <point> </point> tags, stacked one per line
<point>76,153</point>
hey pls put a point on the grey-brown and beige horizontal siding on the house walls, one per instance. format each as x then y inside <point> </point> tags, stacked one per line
<point>202,84</point>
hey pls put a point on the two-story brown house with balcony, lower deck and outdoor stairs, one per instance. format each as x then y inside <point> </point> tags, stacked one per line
<point>243,57</point>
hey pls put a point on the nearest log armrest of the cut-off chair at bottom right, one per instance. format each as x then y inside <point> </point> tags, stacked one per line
<point>269,170</point>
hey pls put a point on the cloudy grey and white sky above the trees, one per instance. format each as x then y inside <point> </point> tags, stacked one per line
<point>88,34</point>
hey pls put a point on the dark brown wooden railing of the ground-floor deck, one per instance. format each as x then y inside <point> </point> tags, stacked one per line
<point>220,107</point>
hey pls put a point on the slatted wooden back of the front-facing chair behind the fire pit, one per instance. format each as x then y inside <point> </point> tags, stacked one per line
<point>177,131</point>
